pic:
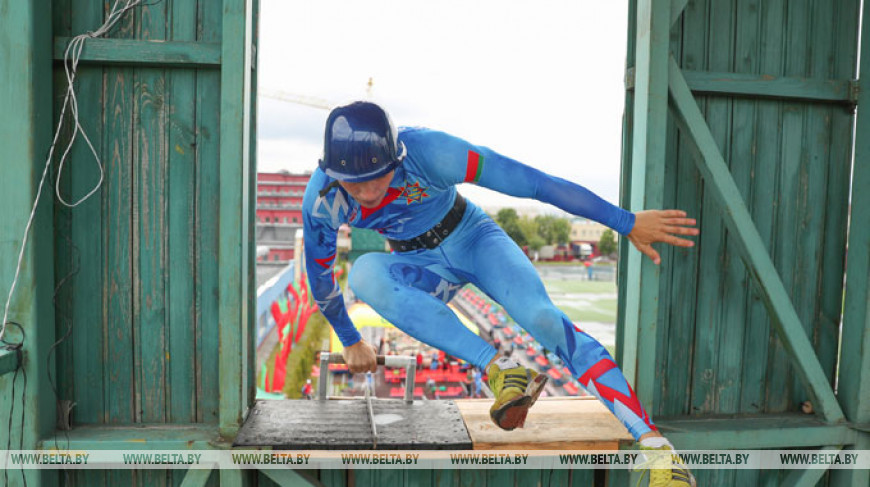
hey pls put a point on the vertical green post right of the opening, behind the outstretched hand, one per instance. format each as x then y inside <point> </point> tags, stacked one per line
<point>647,187</point>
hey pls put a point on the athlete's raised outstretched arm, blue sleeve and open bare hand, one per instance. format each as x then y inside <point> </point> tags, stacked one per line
<point>453,160</point>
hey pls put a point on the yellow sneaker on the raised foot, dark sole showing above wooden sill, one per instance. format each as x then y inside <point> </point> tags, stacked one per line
<point>516,388</point>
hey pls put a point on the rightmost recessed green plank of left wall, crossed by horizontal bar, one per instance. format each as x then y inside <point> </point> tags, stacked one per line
<point>208,118</point>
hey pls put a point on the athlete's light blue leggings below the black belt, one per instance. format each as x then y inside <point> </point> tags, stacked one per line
<point>411,290</point>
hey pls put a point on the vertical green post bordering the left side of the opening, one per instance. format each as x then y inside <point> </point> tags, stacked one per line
<point>233,209</point>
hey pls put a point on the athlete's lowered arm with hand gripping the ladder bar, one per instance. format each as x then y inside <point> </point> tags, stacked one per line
<point>320,234</point>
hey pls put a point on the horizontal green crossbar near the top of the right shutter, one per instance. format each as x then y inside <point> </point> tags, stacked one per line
<point>764,85</point>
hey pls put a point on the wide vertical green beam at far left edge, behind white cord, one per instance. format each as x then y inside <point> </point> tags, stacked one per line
<point>25,135</point>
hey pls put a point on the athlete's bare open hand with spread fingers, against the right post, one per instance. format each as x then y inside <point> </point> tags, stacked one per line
<point>651,226</point>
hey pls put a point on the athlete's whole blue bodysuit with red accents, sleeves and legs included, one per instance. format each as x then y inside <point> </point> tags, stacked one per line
<point>411,289</point>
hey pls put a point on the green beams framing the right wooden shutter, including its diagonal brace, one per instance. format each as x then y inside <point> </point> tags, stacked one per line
<point>835,426</point>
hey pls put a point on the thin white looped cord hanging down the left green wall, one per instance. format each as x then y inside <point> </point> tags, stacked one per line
<point>70,64</point>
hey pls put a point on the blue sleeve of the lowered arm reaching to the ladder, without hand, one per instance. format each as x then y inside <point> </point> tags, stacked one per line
<point>321,217</point>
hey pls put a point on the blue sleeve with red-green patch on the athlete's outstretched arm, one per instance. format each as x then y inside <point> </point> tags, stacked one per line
<point>451,160</point>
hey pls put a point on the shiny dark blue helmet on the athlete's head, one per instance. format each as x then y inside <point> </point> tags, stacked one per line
<point>360,143</point>
